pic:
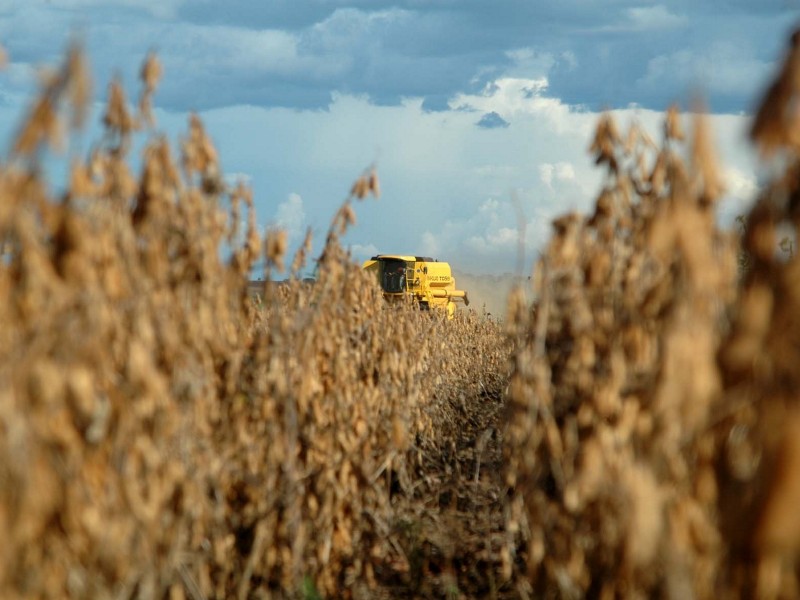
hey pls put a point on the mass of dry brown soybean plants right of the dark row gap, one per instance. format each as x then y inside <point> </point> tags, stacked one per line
<point>652,432</point>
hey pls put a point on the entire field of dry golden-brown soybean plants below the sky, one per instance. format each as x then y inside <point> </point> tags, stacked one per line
<point>162,433</point>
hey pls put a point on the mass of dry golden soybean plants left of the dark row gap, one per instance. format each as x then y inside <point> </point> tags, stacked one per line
<point>161,434</point>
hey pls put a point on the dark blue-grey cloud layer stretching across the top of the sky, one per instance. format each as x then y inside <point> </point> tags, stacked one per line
<point>296,54</point>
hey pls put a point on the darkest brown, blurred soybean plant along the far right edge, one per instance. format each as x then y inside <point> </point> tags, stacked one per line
<point>758,465</point>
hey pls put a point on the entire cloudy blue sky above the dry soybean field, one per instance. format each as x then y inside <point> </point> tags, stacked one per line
<point>476,114</point>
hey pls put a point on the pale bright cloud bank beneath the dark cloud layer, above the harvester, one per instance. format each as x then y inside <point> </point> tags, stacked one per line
<point>451,190</point>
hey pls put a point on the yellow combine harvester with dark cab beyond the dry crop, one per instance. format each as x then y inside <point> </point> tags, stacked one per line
<point>423,280</point>
